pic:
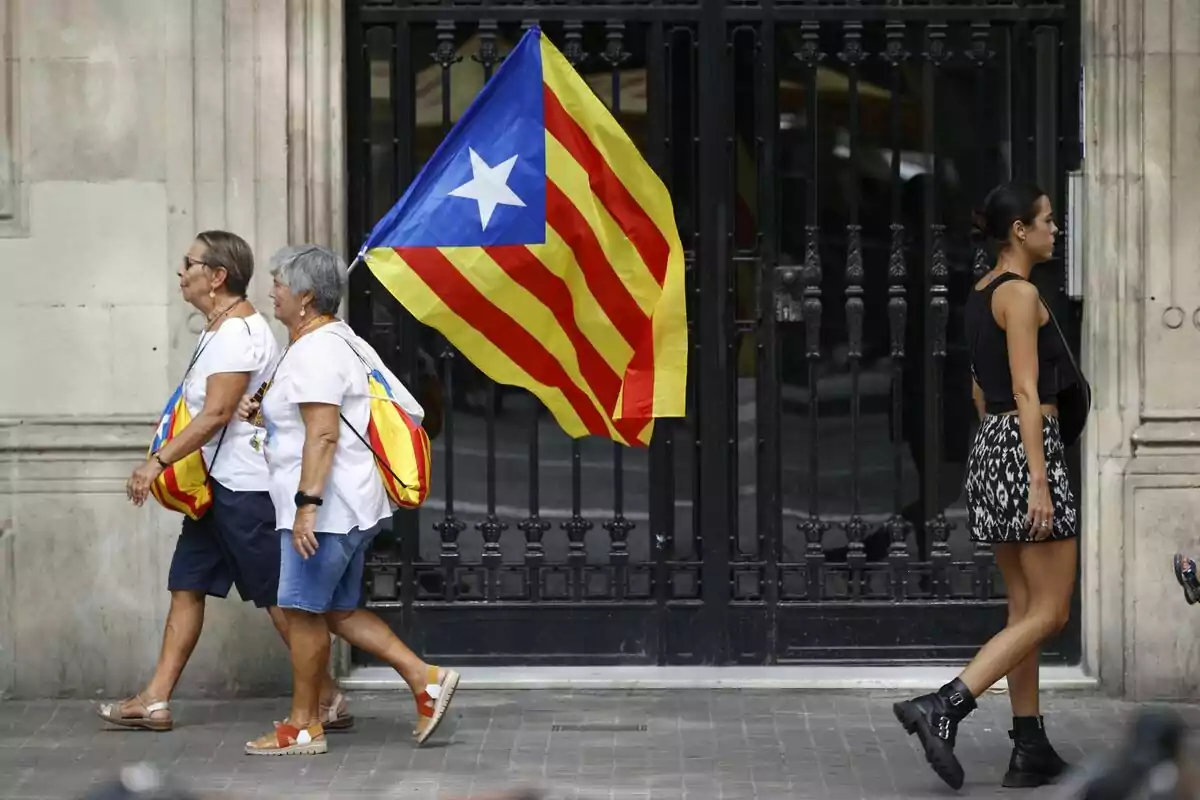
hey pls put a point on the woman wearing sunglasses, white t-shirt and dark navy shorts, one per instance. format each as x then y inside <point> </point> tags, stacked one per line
<point>235,543</point>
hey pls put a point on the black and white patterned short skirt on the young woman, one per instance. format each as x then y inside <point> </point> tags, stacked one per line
<point>998,483</point>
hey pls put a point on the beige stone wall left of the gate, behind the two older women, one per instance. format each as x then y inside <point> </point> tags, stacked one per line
<point>125,129</point>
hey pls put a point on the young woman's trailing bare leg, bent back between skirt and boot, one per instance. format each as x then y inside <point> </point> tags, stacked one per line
<point>1049,570</point>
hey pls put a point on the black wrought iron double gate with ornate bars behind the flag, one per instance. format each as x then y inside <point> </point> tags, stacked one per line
<point>823,157</point>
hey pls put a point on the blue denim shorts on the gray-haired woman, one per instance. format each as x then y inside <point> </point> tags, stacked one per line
<point>332,580</point>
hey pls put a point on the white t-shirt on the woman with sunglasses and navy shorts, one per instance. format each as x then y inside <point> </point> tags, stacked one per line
<point>238,345</point>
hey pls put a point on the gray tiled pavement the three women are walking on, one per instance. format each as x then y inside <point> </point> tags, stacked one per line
<point>583,745</point>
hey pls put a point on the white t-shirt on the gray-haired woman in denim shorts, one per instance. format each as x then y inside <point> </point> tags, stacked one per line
<point>322,368</point>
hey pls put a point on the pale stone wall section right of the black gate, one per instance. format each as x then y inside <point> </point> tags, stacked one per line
<point>1142,484</point>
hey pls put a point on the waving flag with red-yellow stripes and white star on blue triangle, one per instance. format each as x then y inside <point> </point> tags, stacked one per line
<point>544,248</point>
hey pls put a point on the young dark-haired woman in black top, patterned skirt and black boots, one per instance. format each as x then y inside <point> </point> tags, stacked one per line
<point>1018,495</point>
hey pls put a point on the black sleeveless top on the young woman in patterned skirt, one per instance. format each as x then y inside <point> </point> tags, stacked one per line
<point>989,353</point>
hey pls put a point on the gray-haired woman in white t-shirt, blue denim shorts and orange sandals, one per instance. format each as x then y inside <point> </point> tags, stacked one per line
<point>329,500</point>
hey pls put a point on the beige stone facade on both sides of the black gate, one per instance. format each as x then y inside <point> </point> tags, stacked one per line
<point>129,125</point>
